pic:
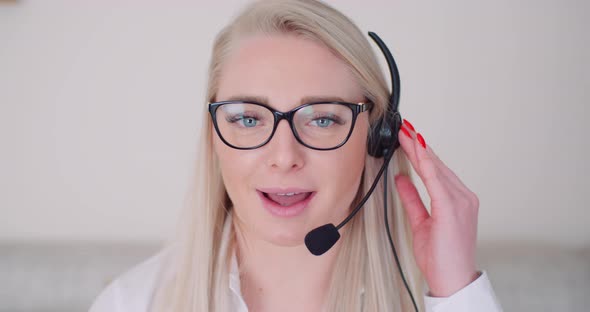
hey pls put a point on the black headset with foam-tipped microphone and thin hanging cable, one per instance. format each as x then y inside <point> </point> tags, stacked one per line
<point>382,142</point>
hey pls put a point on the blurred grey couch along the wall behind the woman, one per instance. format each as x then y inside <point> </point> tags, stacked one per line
<point>68,276</point>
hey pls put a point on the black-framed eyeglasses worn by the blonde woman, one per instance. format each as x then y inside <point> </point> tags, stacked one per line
<point>248,125</point>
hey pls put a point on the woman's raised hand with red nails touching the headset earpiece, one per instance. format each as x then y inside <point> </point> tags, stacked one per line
<point>445,240</point>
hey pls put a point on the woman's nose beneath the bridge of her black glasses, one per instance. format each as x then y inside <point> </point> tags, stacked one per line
<point>284,152</point>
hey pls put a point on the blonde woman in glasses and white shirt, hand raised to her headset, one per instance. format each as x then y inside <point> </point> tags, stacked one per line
<point>262,185</point>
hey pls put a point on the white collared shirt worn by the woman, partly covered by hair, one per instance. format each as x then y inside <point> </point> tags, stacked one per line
<point>133,290</point>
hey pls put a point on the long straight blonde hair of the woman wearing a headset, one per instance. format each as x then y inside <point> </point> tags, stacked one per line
<point>199,268</point>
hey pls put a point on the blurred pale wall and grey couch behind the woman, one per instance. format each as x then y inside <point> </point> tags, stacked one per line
<point>100,110</point>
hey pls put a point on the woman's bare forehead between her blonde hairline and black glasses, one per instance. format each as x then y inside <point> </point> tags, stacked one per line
<point>285,69</point>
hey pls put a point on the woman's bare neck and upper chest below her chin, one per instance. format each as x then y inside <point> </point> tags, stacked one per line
<point>279,278</point>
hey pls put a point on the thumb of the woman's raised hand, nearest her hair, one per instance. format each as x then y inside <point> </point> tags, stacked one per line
<point>411,201</point>
